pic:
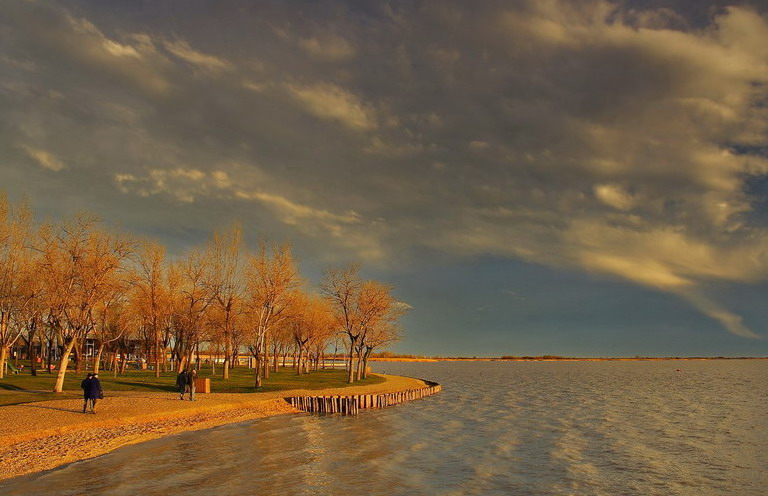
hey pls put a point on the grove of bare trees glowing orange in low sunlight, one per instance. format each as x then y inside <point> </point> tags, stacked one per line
<point>76,280</point>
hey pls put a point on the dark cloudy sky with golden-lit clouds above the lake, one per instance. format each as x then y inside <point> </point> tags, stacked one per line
<point>580,178</point>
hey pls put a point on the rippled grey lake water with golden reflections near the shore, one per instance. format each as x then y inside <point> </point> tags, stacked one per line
<point>498,428</point>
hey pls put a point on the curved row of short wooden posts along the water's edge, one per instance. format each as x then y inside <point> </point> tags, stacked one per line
<point>353,403</point>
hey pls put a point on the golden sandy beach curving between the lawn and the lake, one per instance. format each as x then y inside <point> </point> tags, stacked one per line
<point>36,437</point>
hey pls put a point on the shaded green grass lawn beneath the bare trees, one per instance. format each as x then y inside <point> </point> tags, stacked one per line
<point>25,388</point>
